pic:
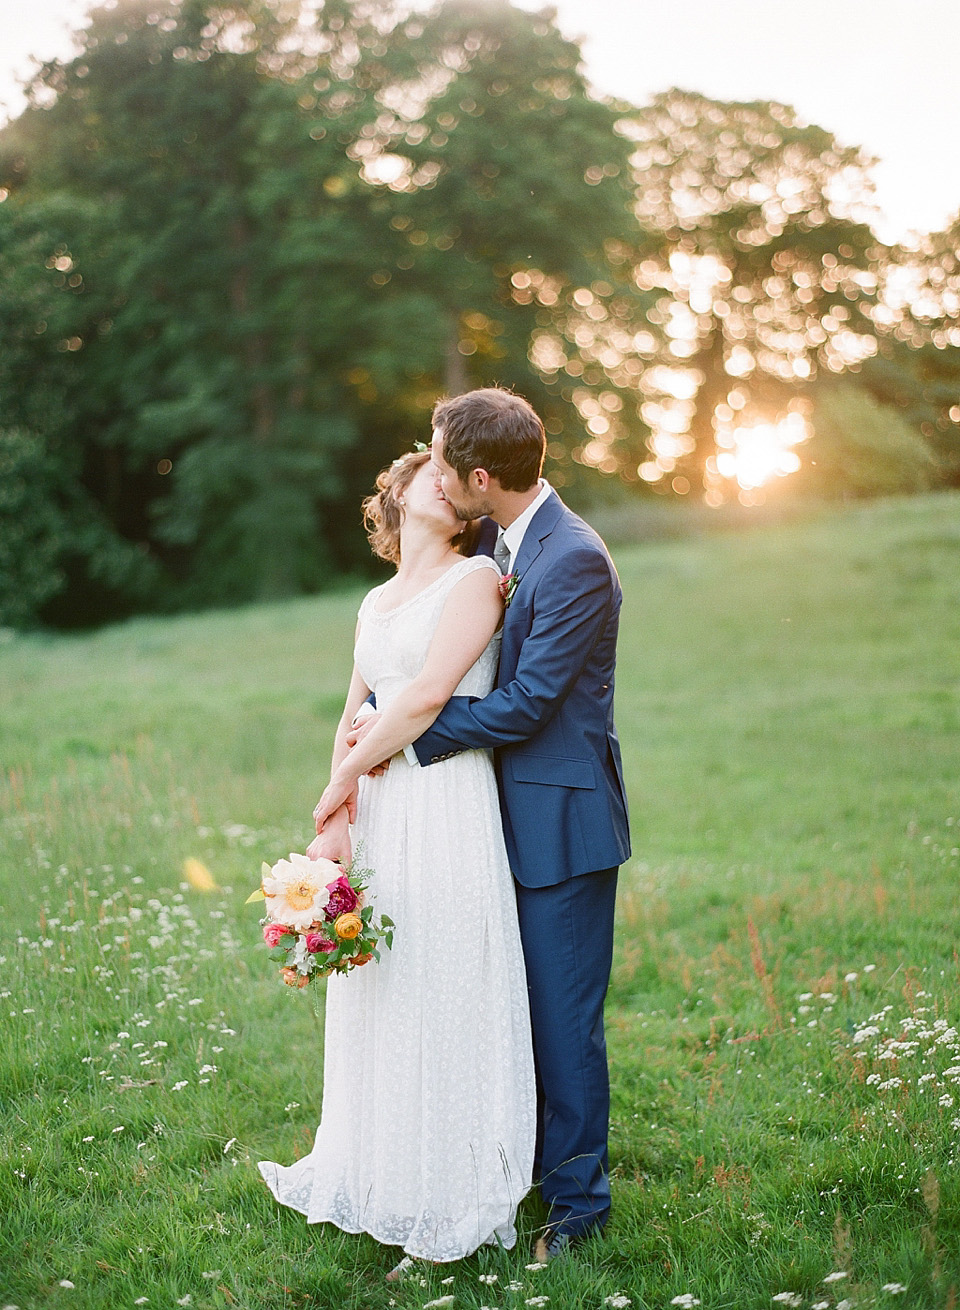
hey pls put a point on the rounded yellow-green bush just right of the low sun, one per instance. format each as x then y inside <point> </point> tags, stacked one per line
<point>862,449</point>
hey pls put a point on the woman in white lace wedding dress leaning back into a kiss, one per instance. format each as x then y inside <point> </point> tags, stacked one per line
<point>429,1115</point>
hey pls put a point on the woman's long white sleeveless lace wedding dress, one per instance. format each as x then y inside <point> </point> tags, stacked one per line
<point>429,1117</point>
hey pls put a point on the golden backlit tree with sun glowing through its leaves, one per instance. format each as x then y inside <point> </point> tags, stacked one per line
<point>766,269</point>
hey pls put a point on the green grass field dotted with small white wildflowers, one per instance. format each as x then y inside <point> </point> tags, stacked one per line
<point>784,1013</point>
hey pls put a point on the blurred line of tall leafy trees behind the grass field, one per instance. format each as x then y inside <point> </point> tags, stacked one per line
<point>246,246</point>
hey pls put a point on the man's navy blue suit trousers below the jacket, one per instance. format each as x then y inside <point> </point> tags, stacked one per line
<point>568,940</point>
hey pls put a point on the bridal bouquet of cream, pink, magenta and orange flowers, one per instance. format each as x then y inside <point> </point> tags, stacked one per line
<point>318,919</point>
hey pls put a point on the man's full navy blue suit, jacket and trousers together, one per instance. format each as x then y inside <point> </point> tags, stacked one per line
<point>565,822</point>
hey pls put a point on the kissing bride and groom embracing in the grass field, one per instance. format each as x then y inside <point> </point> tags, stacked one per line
<point>471,1063</point>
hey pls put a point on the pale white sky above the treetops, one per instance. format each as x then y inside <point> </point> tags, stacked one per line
<point>879,74</point>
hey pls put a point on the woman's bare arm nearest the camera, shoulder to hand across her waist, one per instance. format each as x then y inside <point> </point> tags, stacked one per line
<point>470,619</point>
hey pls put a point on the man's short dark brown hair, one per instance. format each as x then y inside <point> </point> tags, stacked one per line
<point>493,429</point>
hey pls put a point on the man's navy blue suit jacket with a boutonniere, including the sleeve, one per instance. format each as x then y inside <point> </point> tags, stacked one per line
<point>551,717</point>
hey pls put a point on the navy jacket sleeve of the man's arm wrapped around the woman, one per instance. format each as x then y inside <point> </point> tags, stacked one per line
<point>572,608</point>
